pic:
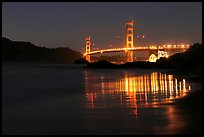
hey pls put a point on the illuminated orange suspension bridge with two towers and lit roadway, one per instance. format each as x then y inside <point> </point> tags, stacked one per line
<point>155,52</point>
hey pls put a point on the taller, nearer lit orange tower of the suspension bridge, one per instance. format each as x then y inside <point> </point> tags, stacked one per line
<point>129,40</point>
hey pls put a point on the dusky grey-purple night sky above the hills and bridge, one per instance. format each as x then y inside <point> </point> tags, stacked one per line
<point>53,24</point>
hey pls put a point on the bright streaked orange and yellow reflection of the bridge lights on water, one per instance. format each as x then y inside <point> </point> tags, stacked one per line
<point>131,90</point>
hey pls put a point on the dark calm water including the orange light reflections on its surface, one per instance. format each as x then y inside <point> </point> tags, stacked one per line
<point>62,99</point>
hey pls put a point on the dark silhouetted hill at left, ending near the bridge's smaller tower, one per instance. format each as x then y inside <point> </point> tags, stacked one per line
<point>26,52</point>
